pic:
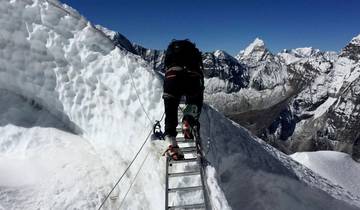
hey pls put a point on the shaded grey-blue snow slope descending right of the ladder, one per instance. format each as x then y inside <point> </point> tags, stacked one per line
<point>254,175</point>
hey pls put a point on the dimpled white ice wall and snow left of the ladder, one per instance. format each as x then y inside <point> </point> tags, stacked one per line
<point>53,58</point>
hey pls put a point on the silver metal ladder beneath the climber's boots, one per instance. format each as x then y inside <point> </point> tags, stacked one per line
<point>190,148</point>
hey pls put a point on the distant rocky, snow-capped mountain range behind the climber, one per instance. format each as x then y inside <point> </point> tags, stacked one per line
<point>301,99</point>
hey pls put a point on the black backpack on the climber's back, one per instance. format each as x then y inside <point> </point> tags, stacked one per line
<point>183,53</point>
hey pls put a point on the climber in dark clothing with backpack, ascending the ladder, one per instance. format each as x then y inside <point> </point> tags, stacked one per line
<point>183,77</point>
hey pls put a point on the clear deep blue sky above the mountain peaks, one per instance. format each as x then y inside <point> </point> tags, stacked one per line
<point>229,25</point>
